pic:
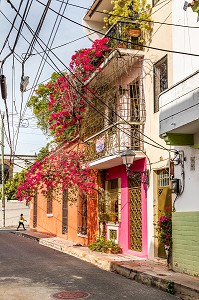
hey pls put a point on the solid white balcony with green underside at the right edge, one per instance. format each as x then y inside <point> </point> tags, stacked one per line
<point>179,112</point>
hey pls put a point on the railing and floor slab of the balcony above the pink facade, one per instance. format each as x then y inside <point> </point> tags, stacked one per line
<point>104,149</point>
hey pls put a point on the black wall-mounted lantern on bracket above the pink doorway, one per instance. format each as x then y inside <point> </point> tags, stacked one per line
<point>128,157</point>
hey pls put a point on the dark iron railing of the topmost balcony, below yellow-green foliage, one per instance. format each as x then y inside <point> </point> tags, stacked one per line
<point>119,35</point>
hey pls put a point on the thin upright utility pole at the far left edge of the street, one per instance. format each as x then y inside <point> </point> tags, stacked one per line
<point>2,170</point>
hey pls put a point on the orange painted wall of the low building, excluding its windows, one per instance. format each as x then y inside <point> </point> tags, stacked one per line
<point>53,224</point>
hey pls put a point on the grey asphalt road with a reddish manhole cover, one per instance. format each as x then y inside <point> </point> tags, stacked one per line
<point>30,271</point>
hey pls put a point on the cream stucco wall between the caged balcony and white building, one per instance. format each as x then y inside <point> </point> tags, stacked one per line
<point>157,158</point>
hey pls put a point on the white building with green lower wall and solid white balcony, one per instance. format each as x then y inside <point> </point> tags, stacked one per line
<point>179,126</point>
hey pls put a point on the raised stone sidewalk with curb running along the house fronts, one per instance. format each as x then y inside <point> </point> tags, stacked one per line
<point>144,271</point>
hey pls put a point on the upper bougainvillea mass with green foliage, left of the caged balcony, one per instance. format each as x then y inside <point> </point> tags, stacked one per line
<point>60,104</point>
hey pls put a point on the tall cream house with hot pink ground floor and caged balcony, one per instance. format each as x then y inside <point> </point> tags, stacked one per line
<point>127,88</point>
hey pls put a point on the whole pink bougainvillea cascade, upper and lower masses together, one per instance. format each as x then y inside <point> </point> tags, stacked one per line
<point>64,99</point>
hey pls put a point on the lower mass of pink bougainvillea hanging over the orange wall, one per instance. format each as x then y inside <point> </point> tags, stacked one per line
<point>60,170</point>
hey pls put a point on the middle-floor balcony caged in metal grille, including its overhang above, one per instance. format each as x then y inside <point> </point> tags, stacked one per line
<point>107,133</point>
